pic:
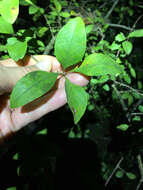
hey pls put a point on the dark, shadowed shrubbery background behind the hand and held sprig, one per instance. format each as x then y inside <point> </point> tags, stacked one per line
<point>106,147</point>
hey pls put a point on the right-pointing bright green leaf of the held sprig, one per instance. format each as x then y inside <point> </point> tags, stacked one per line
<point>98,64</point>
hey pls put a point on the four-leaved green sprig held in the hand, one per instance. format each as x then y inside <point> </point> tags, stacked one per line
<point>69,49</point>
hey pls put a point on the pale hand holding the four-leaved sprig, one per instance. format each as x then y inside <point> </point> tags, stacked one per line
<point>12,120</point>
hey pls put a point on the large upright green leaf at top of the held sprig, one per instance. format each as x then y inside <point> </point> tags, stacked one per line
<point>70,43</point>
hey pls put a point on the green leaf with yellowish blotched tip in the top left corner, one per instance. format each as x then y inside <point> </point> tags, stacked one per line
<point>9,10</point>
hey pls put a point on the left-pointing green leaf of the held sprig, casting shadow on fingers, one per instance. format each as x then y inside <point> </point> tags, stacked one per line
<point>31,86</point>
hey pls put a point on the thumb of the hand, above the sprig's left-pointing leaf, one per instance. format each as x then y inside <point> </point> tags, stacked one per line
<point>10,75</point>
